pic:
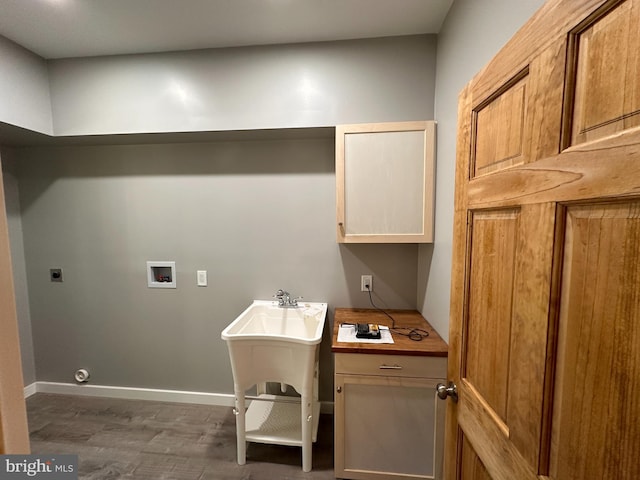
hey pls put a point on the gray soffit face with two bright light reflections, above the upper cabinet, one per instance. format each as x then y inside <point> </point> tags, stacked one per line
<point>305,85</point>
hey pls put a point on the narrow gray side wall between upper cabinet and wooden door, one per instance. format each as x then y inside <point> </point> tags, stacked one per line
<point>472,34</point>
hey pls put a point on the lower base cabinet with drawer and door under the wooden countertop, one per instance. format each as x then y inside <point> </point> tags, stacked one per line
<point>389,422</point>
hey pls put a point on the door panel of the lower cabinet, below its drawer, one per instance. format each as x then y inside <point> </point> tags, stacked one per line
<point>387,428</point>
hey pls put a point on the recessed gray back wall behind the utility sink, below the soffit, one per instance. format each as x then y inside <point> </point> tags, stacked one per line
<point>257,216</point>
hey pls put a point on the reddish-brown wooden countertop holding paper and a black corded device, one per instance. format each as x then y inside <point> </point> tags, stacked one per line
<point>432,346</point>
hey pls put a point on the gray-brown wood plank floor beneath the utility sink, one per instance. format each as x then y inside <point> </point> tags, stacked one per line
<point>137,439</point>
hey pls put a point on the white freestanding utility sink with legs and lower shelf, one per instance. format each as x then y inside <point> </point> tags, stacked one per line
<point>270,343</point>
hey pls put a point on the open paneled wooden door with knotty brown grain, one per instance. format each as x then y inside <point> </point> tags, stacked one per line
<point>545,311</point>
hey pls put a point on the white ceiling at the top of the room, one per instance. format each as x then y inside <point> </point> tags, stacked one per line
<point>78,28</point>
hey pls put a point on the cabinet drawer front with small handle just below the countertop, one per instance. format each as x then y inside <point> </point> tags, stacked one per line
<point>391,365</point>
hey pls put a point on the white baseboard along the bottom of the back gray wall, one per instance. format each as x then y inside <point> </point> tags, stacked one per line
<point>131,393</point>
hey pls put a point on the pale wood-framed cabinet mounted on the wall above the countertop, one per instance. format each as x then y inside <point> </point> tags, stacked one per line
<point>385,182</point>
